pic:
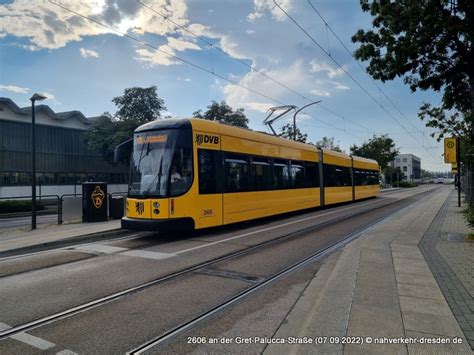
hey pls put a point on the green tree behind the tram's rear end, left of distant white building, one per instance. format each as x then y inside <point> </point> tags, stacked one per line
<point>382,149</point>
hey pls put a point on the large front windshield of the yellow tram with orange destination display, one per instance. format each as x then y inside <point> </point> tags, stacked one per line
<point>161,164</point>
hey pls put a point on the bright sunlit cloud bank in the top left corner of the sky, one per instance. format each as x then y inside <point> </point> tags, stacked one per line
<point>46,25</point>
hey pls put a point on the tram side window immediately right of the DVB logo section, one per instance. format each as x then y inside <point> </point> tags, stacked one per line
<point>237,173</point>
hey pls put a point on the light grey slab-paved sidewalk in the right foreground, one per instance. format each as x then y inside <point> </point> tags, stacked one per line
<point>381,289</point>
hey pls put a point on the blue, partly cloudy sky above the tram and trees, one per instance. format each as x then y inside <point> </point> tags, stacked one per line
<point>248,53</point>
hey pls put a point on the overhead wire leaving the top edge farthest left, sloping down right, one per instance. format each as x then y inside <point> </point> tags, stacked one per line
<point>194,65</point>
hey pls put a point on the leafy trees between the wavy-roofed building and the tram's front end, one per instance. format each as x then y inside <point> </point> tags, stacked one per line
<point>135,107</point>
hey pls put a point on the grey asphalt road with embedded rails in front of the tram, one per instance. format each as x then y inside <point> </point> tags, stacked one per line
<point>37,286</point>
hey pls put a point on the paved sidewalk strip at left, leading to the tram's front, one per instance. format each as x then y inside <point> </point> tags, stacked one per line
<point>53,234</point>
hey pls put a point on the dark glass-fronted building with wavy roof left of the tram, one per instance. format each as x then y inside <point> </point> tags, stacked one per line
<point>63,160</point>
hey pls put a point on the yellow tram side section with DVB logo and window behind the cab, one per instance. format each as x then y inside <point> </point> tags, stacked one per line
<point>208,206</point>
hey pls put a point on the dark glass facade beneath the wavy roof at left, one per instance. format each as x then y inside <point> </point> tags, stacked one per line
<point>62,157</point>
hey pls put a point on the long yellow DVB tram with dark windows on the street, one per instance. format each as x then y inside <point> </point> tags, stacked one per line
<point>193,173</point>
